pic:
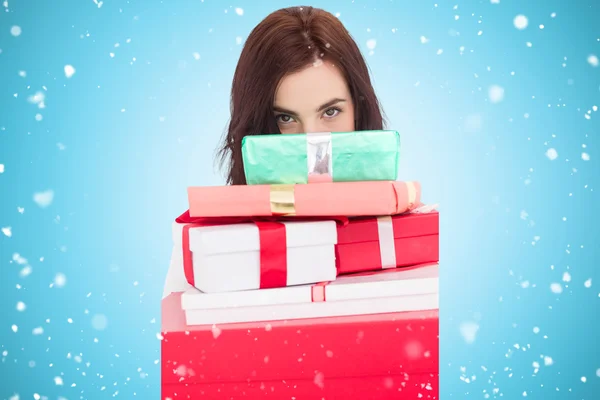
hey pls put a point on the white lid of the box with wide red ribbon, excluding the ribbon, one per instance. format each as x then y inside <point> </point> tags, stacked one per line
<point>245,237</point>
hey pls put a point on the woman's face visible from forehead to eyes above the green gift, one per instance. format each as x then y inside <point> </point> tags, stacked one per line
<point>315,99</point>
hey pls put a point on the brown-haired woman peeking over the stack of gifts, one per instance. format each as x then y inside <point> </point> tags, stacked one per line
<point>300,71</point>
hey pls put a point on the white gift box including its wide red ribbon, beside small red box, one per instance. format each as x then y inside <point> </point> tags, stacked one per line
<point>259,255</point>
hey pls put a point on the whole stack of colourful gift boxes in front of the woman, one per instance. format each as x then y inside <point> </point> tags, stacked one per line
<point>317,279</point>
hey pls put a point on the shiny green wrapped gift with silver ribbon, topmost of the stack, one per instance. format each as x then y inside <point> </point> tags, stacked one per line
<point>321,157</point>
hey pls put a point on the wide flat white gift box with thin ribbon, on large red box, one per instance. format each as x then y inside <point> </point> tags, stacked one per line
<point>397,290</point>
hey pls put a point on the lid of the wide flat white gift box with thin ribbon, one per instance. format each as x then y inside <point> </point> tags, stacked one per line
<point>418,280</point>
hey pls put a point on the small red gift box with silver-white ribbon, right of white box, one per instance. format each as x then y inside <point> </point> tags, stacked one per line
<point>368,244</point>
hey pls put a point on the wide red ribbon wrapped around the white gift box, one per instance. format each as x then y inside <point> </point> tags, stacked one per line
<point>272,235</point>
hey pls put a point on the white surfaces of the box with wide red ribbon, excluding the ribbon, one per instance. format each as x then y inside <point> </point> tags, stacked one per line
<point>226,258</point>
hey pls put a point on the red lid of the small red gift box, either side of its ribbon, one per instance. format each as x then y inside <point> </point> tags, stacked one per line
<point>405,225</point>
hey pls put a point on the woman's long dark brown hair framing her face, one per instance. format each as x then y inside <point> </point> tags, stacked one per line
<point>287,41</point>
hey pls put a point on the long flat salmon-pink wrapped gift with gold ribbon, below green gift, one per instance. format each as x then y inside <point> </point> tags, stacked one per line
<point>325,199</point>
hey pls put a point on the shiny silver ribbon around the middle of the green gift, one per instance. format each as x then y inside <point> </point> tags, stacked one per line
<point>319,157</point>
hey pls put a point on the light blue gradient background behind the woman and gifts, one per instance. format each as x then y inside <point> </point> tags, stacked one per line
<point>513,221</point>
